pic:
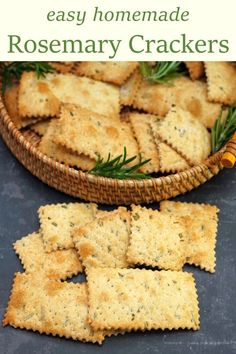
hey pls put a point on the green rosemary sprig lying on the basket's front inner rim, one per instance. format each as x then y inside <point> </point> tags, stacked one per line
<point>117,167</point>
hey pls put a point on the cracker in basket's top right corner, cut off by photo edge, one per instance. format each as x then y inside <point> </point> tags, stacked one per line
<point>221,82</point>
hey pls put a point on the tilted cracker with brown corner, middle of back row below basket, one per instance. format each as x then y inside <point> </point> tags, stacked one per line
<point>104,241</point>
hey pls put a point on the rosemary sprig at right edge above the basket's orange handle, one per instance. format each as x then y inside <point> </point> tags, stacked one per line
<point>223,129</point>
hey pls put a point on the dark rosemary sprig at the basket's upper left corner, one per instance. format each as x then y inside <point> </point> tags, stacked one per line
<point>16,68</point>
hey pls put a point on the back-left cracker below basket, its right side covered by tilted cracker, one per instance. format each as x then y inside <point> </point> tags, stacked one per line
<point>58,220</point>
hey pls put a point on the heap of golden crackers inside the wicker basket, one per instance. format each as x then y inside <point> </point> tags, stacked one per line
<point>91,109</point>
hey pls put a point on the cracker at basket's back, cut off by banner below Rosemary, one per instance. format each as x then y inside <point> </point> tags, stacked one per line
<point>115,72</point>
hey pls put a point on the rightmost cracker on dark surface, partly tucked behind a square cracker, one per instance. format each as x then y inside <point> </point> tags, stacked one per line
<point>201,222</point>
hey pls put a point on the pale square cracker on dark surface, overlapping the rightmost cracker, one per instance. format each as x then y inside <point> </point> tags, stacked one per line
<point>156,239</point>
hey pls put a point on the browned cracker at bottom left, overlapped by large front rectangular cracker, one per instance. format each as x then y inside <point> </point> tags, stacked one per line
<point>51,307</point>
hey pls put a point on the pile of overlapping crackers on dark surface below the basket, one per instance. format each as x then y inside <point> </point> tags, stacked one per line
<point>120,252</point>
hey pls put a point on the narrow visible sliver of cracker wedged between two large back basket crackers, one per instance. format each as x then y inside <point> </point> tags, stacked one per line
<point>129,88</point>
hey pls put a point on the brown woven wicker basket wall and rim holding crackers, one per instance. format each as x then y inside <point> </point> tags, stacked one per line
<point>99,189</point>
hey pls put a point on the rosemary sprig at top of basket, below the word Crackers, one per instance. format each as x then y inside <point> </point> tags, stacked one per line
<point>163,72</point>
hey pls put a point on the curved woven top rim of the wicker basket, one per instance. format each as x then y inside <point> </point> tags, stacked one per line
<point>210,161</point>
